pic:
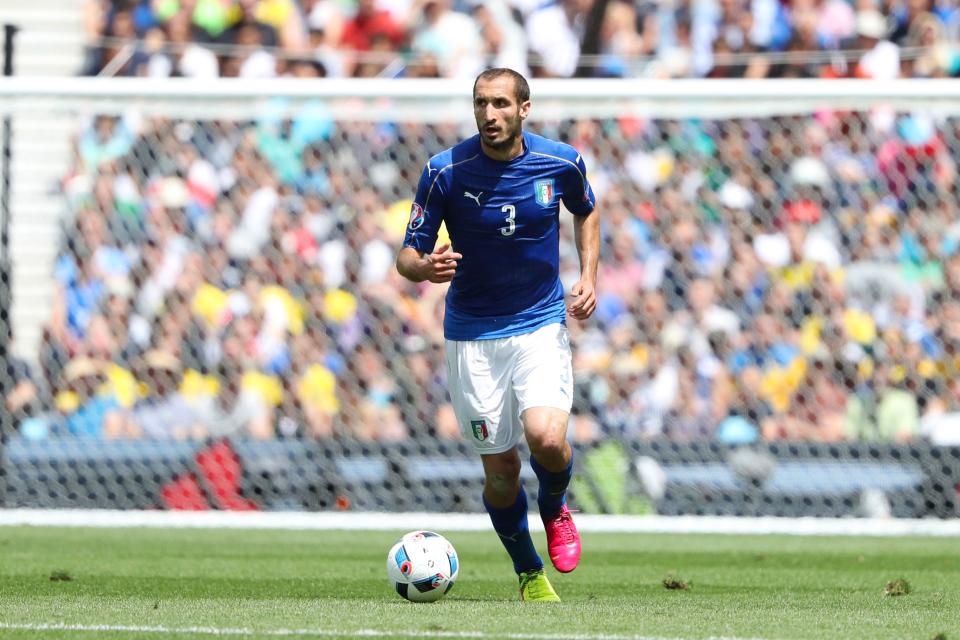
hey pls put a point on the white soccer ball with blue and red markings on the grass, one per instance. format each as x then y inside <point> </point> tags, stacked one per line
<point>422,566</point>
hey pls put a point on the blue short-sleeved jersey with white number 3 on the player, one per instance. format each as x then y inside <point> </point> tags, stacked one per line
<point>504,218</point>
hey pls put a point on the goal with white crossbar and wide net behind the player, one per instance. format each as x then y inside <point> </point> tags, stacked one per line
<point>210,317</point>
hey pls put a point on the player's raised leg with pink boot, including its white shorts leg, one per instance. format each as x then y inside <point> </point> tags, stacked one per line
<point>544,384</point>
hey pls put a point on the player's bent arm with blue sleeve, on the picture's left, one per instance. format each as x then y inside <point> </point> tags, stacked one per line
<point>419,259</point>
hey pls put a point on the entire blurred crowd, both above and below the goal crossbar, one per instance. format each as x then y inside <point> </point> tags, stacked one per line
<point>776,278</point>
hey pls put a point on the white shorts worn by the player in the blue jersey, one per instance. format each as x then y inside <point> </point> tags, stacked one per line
<point>492,382</point>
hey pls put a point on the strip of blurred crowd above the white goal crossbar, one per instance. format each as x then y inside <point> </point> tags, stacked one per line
<point>878,39</point>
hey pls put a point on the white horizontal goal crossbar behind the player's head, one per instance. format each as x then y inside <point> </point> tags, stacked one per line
<point>421,100</point>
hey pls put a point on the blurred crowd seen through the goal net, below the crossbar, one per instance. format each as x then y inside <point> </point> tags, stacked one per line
<point>778,278</point>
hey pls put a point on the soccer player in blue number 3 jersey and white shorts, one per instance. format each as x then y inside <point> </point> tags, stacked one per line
<point>507,346</point>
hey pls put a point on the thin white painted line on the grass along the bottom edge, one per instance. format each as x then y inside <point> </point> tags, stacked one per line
<point>358,633</point>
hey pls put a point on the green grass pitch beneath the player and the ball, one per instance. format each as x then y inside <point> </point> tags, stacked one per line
<point>158,583</point>
